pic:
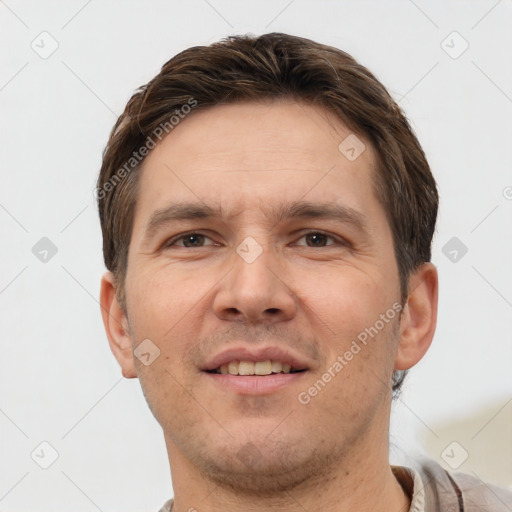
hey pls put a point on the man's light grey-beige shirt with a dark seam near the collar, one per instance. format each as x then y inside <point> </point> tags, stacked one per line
<point>433,489</point>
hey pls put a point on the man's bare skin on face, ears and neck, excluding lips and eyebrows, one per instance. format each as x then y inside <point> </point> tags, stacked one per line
<point>229,451</point>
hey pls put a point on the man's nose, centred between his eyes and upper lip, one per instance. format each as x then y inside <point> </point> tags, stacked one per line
<point>255,290</point>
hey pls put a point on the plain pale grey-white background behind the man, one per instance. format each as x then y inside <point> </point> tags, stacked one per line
<point>59,382</point>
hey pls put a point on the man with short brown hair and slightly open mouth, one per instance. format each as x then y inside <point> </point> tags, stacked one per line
<point>267,216</point>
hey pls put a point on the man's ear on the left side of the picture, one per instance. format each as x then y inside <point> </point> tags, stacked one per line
<point>116,326</point>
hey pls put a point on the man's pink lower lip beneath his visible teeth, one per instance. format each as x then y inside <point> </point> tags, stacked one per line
<point>255,384</point>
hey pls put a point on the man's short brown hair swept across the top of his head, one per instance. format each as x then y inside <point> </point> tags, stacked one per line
<point>254,68</point>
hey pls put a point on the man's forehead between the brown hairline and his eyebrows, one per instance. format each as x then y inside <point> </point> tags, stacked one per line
<point>248,157</point>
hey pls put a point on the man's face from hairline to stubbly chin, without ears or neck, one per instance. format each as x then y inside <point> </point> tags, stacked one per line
<point>250,285</point>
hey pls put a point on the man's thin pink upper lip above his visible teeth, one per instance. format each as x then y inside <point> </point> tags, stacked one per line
<point>255,354</point>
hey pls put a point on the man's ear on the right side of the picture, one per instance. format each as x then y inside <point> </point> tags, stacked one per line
<point>419,317</point>
